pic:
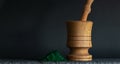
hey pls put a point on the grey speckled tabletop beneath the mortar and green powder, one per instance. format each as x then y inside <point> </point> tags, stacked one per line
<point>95,61</point>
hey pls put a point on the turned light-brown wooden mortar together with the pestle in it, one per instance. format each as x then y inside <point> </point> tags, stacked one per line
<point>79,36</point>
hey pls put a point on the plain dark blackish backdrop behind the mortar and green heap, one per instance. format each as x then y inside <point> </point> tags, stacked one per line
<point>29,29</point>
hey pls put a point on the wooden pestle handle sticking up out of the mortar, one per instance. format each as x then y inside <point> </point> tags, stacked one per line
<point>87,10</point>
